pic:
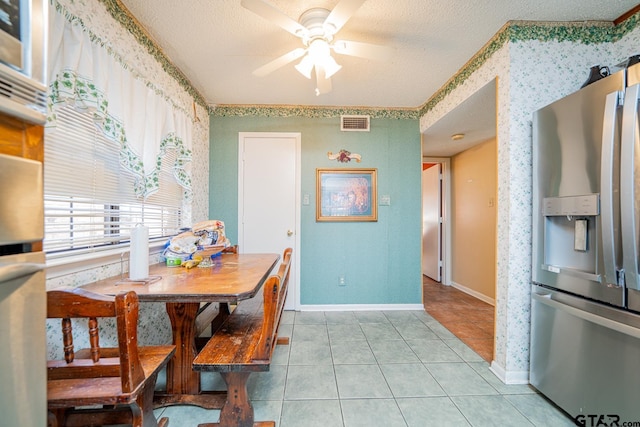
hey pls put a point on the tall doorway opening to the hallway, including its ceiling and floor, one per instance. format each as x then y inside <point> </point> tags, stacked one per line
<point>464,143</point>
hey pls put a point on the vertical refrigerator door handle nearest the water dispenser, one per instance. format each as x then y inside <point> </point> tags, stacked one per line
<point>607,189</point>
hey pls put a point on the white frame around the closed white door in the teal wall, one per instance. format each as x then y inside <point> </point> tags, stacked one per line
<point>297,136</point>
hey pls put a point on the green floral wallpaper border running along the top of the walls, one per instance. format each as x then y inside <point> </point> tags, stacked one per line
<point>513,31</point>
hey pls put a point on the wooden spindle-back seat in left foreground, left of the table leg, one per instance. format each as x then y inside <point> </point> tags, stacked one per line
<point>102,386</point>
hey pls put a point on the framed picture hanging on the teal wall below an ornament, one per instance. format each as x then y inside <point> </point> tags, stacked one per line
<point>346,195</point>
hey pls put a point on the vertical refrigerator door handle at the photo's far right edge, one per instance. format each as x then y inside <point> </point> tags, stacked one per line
<point>628,186</point>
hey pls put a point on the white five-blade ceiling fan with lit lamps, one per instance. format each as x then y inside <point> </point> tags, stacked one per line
<point>317,28</point>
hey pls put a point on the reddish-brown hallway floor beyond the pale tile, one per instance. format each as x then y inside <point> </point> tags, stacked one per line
<point>468,318</point>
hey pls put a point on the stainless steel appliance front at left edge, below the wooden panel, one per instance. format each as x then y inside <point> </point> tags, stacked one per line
<point>23,360</point>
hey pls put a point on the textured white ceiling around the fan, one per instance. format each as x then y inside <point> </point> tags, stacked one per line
<point>218,43</point>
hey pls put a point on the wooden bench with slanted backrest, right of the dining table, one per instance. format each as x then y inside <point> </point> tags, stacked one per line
<point>244,344</point>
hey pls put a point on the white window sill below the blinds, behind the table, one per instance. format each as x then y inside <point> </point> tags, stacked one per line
<point>62,266</point>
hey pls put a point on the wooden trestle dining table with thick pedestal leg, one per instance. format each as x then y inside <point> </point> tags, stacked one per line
<point>231,278</point>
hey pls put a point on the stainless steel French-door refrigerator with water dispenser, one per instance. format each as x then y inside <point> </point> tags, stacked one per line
<point>585,324</point>
